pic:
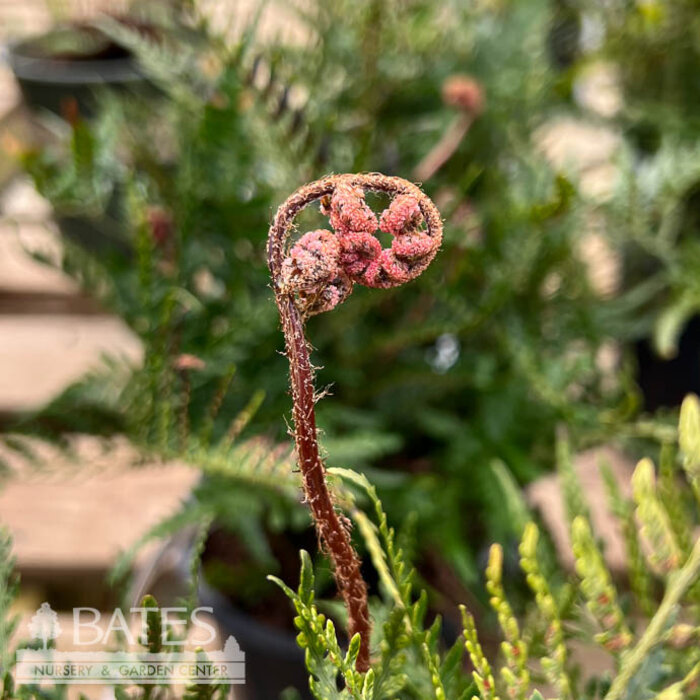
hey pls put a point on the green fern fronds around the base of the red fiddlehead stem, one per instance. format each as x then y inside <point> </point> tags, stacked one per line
<point>409,659</point>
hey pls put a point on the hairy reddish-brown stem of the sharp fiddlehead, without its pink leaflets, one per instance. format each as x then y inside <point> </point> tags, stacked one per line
<point>332,530</point>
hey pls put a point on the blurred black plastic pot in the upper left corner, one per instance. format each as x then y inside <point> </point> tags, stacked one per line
<point>55,82</point>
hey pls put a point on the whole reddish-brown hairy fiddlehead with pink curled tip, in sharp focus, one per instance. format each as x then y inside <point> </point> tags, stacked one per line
<point>314,276</point>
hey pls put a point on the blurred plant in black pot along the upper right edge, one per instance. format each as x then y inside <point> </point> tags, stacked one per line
<point>652,217</point>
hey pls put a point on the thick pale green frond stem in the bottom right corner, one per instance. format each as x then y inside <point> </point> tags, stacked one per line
<point>678,586</point>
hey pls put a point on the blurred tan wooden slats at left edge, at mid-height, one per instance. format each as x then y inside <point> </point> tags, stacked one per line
<point>50,335</point>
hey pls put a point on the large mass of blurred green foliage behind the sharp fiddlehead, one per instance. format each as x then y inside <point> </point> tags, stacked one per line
<point>436,387</point>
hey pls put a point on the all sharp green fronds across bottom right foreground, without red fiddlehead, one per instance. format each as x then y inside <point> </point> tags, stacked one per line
<point>655,657</point>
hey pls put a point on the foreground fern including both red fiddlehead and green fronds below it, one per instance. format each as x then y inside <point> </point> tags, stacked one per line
<point>316,274</point>
